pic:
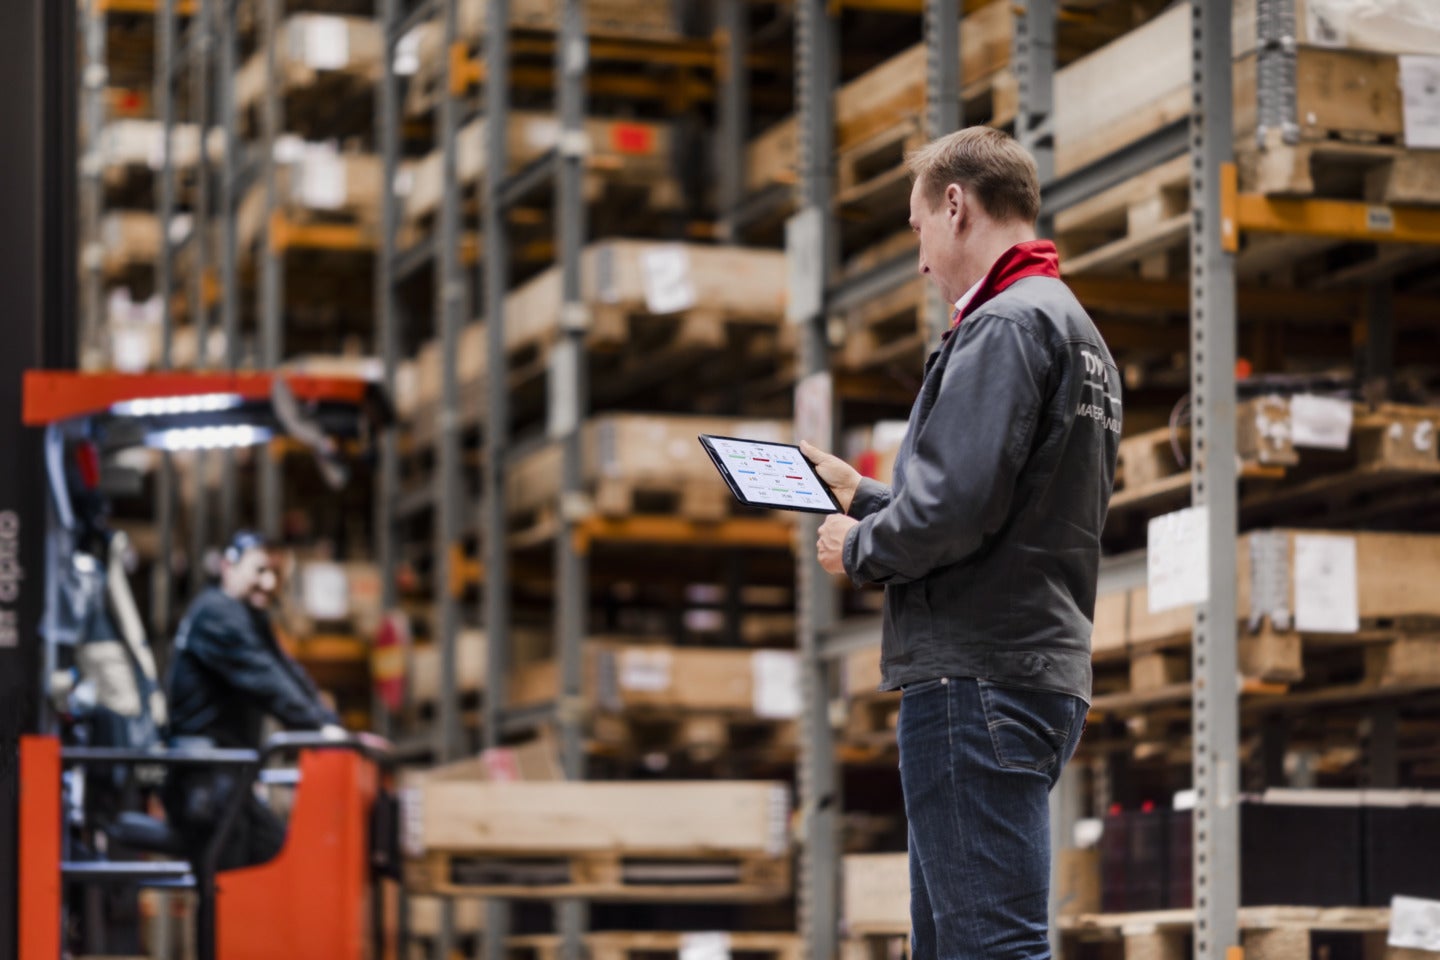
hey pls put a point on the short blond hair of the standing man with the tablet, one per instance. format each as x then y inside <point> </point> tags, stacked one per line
<point>986,162</point>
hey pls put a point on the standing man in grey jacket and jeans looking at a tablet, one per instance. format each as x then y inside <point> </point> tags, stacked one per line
<point>989,546</point>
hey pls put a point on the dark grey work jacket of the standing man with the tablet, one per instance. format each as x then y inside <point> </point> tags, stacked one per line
<point>989,543</point>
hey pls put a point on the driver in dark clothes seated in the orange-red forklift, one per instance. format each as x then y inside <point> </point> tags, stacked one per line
<point>227,673</point>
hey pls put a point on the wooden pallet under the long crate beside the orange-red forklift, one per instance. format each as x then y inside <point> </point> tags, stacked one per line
<point>708,877</point>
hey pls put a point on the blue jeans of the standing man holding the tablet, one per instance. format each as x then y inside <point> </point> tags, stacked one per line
<point>977,765</point>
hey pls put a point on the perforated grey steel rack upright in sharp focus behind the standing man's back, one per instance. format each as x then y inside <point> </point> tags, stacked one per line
<point>1215,489</point>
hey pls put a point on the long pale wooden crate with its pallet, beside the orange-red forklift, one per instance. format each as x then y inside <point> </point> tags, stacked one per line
<point>679,841</point>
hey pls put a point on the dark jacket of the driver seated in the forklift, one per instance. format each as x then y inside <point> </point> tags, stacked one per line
<point>228,671</point>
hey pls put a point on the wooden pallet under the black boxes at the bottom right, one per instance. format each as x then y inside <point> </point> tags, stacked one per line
<point>1268,933</point>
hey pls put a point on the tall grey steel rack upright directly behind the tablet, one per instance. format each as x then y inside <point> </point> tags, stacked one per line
<point>819,782</point>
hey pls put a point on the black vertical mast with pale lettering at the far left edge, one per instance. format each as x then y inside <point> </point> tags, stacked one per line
<point>38,286</point>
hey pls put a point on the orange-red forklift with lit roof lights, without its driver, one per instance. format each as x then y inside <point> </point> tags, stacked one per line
<point>320,897</point>
